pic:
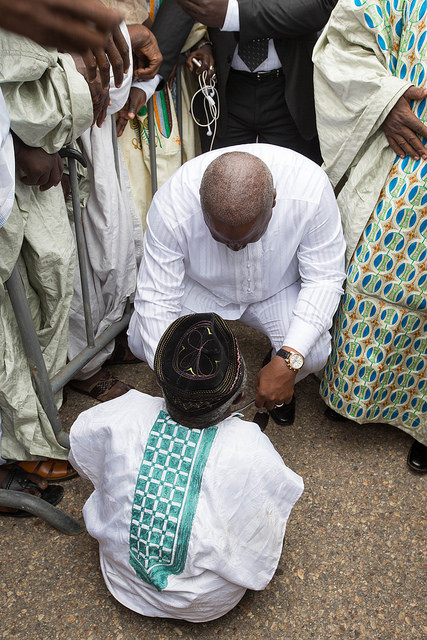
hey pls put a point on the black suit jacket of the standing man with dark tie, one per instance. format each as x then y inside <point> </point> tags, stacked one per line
<point>294,26</point>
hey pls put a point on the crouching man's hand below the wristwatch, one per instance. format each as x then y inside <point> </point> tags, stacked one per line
<point>274,384</point>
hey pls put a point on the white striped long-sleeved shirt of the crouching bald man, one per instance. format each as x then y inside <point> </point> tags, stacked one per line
<point>301,254</point>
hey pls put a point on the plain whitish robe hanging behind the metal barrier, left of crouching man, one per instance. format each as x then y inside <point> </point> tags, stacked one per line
<point>113,234</point>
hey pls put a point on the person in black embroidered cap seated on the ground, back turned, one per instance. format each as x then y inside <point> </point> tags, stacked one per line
<point>191,502</point>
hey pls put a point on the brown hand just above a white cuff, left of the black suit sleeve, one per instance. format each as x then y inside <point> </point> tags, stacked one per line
<point>146,53</point>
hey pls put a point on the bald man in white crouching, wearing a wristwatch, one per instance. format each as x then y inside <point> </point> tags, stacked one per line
<point>251,232</point>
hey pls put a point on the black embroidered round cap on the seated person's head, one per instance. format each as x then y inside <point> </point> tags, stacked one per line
<point>198,363</point>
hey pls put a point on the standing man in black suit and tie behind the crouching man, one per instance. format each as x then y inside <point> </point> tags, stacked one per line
<point>273,101</point>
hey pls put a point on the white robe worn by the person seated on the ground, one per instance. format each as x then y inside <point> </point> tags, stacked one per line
<point>236,537</point>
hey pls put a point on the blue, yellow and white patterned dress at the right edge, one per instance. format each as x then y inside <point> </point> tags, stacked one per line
<point>377,368</point>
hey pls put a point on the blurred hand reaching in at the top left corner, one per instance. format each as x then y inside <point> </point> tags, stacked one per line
<point>69,25</point>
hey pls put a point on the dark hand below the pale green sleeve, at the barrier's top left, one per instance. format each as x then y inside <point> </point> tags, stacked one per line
<point>36,167</point>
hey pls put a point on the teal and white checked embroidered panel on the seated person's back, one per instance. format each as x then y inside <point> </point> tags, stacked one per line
<point>166,496</point>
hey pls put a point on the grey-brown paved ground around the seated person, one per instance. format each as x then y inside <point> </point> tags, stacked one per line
<point>353,563</point>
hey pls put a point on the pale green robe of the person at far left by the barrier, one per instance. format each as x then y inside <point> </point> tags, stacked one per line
<point>49,105</point>
